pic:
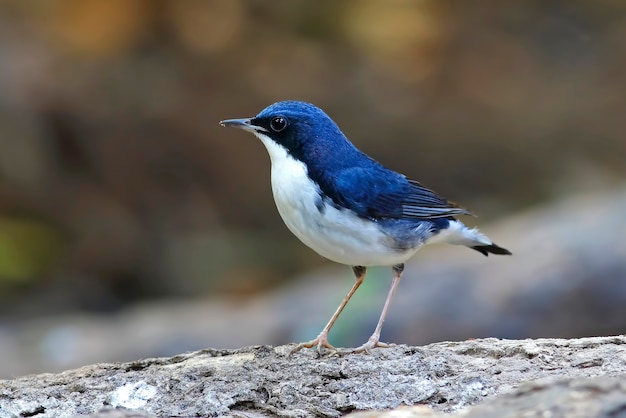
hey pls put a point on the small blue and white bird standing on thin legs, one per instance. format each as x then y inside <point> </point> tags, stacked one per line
<point>348,207</point>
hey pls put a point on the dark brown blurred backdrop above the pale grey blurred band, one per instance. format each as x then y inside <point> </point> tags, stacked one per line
<point>117,185</point>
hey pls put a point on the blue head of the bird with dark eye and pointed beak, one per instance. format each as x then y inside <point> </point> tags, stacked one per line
<point>301,129</point>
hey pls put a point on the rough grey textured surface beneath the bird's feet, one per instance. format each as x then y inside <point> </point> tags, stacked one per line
<point>265,381</point>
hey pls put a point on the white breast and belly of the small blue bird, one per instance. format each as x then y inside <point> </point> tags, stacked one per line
<point>336,234</point>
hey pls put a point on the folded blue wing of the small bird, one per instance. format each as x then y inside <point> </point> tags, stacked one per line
<point>377,192</point>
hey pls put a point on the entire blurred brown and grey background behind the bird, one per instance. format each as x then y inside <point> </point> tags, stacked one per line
<point>133,225</point>
